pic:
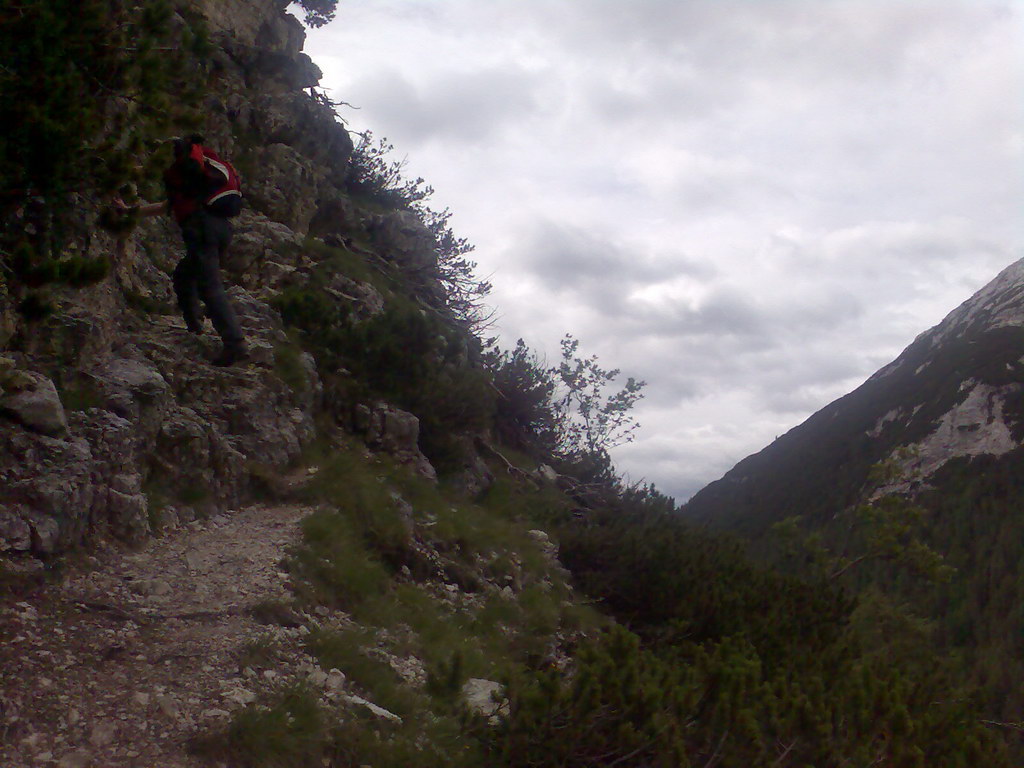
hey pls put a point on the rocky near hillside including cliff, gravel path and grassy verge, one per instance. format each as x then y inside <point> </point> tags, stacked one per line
<point>184,548</point>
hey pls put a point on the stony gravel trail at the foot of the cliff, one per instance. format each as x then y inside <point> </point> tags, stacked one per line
<point>119,665</point>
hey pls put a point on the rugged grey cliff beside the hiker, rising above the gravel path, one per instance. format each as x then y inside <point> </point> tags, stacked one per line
<point>111,420</point>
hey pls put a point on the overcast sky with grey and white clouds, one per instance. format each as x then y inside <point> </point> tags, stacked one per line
<point>751,205</point>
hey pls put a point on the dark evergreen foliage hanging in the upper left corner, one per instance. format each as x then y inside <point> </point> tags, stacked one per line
<point>88,87</point>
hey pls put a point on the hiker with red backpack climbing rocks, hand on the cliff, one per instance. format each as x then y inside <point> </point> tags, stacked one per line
<point>203,193</point>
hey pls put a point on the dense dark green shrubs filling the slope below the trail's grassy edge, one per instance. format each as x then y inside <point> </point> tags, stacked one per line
<point>735,664</point>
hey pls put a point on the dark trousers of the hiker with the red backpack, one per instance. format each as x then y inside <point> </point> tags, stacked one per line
<point>198,275</point>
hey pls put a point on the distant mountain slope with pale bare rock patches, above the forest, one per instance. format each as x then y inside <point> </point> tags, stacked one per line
<point>956,396</point>
